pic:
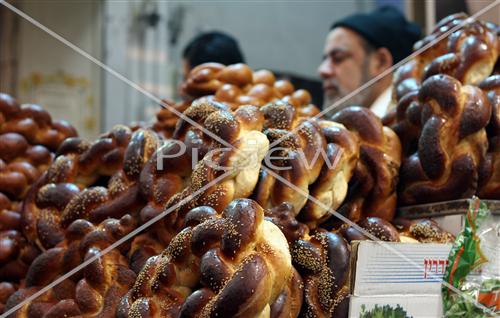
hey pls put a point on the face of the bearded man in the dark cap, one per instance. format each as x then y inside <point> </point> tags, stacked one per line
<point>344,67</point>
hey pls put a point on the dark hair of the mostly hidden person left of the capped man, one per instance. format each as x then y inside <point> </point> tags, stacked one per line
<point>211,47</point>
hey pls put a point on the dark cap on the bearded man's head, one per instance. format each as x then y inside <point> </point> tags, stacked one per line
<point>385,27</point>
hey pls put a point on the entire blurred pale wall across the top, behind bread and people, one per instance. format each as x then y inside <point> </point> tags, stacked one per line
<point>142,42</point>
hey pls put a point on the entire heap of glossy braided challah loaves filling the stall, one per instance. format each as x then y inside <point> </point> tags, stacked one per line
<point>233,214</point>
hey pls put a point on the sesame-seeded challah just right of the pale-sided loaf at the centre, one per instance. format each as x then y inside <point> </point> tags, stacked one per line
<point>296,157</point>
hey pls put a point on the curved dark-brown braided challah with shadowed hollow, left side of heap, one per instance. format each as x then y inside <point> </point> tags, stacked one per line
<point>91,181</point>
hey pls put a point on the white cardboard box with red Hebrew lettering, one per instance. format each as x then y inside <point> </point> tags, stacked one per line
<point>397,274</point>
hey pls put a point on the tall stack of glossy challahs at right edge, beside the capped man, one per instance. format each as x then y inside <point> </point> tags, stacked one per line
<point>441,119</point>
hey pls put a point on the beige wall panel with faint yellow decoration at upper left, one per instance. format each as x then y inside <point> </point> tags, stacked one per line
<point>38,68</point>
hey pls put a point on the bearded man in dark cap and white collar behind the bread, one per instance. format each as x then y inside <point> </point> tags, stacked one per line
<point>359,48</point>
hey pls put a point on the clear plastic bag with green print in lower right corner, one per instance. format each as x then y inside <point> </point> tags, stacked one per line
<point>474,267</point>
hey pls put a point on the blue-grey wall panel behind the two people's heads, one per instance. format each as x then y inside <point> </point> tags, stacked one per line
<point>284,36</point>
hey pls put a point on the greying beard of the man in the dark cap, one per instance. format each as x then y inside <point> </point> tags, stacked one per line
<point>334,101</point>
